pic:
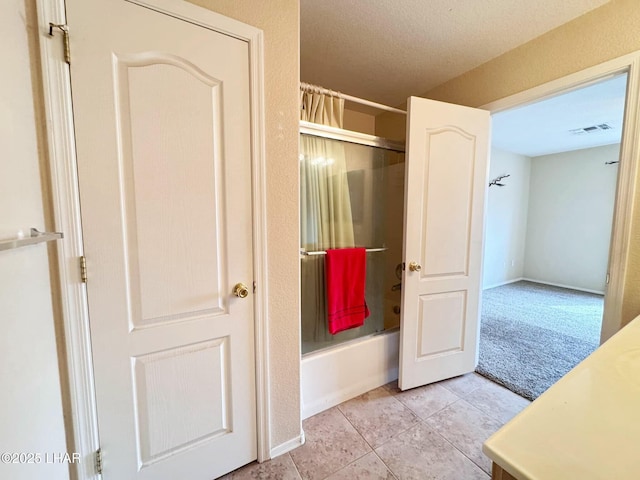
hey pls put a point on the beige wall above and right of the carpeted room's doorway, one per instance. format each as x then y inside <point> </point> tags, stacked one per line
<point>603,34</point>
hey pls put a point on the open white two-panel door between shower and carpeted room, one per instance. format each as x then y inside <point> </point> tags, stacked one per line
<point>446,181</point>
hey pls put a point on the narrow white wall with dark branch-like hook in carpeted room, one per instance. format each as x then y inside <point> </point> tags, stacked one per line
<point>506,219</point>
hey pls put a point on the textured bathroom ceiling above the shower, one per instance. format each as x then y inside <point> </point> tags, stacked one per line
<point>387,50</point>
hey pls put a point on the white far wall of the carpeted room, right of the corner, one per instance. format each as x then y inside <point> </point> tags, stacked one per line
<point>571,202</point>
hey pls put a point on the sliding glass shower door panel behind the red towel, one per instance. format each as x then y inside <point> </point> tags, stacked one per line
<point>363,188</point>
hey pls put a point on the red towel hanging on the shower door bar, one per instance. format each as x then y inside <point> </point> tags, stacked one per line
<point>345,271</point>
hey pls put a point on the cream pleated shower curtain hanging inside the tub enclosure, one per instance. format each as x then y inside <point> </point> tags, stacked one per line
<point>325,207</point>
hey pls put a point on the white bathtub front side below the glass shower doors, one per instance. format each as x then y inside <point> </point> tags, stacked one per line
<point>331,377</point>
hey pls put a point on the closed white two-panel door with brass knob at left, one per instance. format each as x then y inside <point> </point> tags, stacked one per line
<point>162,118</point>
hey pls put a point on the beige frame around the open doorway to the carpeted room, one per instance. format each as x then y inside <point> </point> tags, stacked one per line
<point>612,320</point>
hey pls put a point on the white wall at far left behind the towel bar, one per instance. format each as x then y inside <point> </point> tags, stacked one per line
<point>31,417</point>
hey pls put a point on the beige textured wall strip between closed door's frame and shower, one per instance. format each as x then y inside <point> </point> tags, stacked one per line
<point>279,19</point>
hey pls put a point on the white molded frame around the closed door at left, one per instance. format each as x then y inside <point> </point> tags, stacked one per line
<point>66,218</point>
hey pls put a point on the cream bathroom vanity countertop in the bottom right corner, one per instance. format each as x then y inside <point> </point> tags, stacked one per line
<point>586,426</point>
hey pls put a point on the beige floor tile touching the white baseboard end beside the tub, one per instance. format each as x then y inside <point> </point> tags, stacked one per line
<point>331,444</point>
